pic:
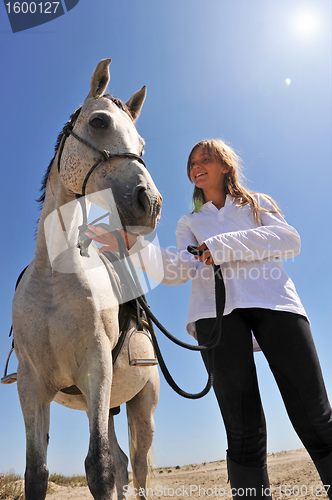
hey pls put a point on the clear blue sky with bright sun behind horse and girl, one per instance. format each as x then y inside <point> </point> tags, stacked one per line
<point>257,74</point>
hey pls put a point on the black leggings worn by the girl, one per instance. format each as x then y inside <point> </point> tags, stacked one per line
<point>286,341</point>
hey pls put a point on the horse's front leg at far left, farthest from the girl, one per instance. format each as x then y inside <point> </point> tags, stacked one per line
<point>35,404</point>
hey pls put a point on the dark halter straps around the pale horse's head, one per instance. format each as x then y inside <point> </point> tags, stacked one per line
<point>104,155</point>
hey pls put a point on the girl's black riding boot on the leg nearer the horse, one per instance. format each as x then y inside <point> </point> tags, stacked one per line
<point>248,482</point>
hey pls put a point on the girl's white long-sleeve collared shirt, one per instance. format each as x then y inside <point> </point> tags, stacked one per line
<point>249,256</point>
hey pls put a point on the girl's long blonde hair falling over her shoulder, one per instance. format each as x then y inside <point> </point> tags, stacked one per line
<point>232,179</point>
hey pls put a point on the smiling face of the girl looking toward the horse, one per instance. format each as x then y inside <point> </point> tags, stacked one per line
<point>206,171</point>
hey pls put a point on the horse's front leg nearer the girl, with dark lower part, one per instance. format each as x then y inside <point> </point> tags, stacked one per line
<point>99,466</point>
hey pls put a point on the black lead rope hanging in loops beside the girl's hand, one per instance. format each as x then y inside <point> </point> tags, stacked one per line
<point>216,332</point>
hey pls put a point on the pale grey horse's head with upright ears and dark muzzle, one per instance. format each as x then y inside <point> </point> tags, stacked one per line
<point>105,124</point>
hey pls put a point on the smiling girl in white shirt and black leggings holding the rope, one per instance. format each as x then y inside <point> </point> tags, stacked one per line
<point>247,236</point>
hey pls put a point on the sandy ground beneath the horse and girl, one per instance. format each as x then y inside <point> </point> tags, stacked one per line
<point>292,476</point>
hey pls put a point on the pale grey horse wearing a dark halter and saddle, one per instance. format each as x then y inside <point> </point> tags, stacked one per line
<point>65,310</point>
